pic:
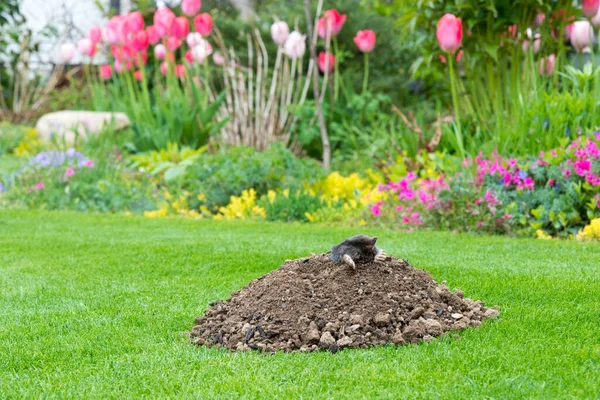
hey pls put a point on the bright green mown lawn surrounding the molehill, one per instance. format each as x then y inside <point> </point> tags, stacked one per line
<point>95,306</point>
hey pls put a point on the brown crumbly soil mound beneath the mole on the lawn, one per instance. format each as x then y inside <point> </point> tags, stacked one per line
<point>313,303</point>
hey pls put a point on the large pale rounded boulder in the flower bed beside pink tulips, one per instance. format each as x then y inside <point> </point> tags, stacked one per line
<point>68,124</point>
